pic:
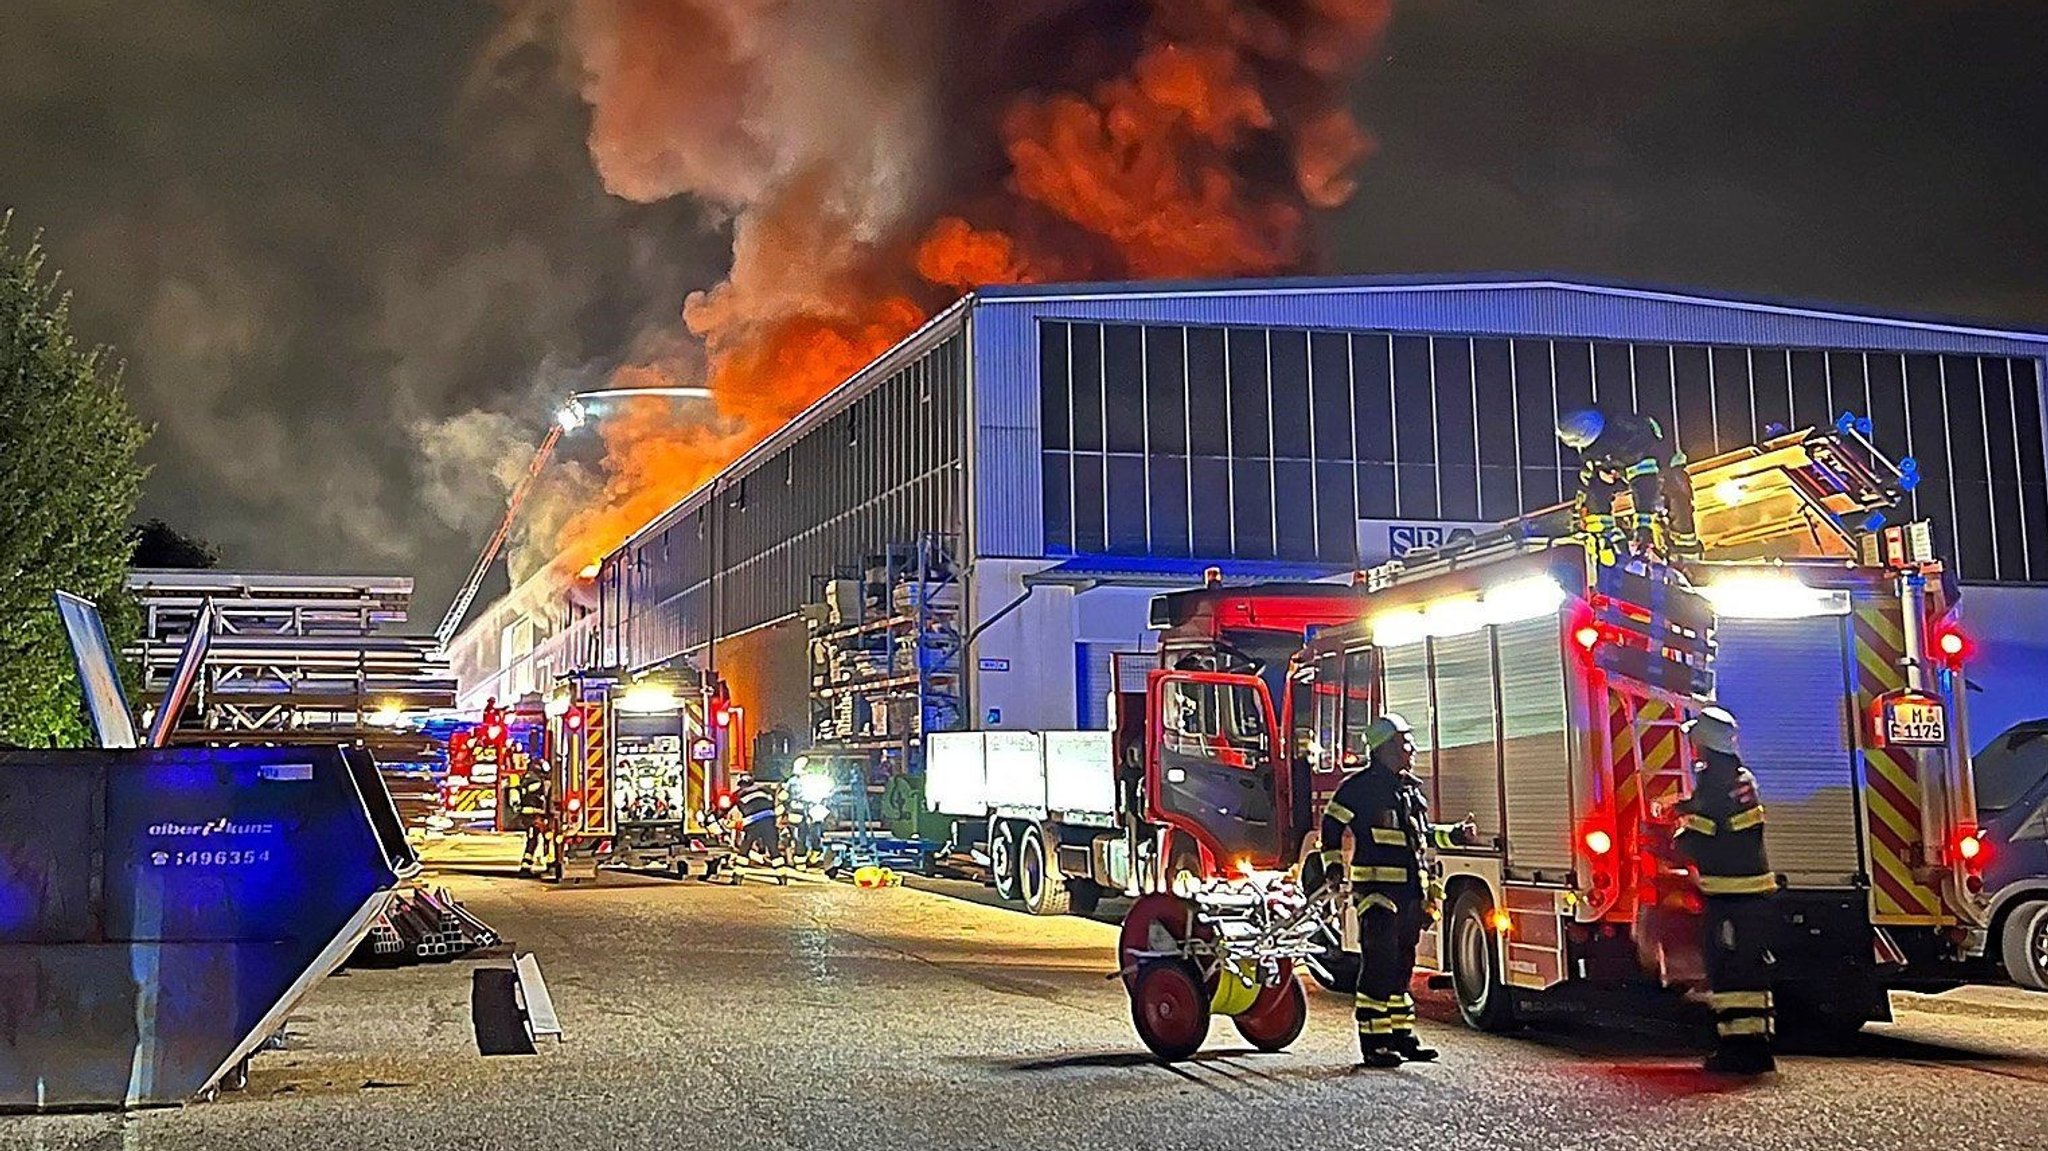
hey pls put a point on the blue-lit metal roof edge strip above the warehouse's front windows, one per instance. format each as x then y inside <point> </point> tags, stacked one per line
<point>1512,306</point>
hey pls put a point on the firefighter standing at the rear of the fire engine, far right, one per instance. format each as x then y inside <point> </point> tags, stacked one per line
<point>1721,833</point>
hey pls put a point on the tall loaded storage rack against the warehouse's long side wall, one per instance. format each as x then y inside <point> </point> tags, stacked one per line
<point>886,669</point>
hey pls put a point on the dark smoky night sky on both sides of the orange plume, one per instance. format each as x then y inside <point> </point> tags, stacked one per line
<point>314,228</point>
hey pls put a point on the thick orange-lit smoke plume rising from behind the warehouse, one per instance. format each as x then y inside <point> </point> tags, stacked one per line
<point>876,161</point>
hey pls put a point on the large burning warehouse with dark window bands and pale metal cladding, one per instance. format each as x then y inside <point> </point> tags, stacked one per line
<point>1089,445</point>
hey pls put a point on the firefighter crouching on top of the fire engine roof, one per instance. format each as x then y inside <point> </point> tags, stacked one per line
<point>1631,452</point>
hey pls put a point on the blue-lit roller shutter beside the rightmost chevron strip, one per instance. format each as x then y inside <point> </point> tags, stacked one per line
<point>1787,685</point>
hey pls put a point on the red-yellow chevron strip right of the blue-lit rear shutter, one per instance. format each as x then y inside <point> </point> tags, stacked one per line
<point>1891,775</point>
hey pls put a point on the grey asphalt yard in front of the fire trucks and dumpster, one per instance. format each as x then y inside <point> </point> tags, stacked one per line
<point>820,1017</point>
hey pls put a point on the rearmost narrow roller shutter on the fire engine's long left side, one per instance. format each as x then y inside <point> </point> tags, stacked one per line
<point>1535,747</point>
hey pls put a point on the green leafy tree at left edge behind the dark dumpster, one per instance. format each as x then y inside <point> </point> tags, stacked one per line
<point>69,486</point>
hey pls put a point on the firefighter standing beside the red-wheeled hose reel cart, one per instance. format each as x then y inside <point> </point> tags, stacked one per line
<point>1388,816</point>
